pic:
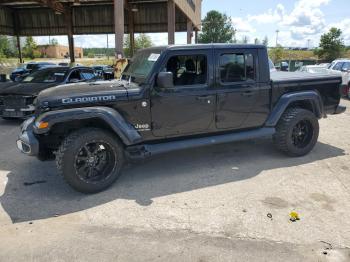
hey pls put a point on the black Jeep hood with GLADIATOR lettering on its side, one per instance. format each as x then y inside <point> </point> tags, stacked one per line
<point>86,94</point>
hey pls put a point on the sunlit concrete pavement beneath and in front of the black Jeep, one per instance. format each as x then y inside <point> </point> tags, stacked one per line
<point>208,204</point>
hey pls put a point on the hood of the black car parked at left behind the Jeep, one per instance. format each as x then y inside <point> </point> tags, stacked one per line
<point>21,88</point>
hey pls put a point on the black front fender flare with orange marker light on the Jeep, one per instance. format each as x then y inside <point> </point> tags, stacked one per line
<point>127,133</point>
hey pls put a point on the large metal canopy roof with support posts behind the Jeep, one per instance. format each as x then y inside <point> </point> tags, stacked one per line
<point>75,17</point>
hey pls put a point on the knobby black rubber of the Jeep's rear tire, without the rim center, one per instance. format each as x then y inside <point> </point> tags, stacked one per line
<point>283,138</point>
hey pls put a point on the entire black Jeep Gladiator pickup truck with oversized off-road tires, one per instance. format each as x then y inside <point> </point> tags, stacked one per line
<point>171,98</point>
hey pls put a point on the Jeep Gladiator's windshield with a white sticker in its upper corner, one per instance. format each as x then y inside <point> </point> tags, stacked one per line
<point>141,65</point>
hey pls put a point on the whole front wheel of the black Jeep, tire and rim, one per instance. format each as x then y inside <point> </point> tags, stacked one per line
<point>90,160</point>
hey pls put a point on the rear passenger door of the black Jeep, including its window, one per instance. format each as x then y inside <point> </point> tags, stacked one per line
<point>237,87</point>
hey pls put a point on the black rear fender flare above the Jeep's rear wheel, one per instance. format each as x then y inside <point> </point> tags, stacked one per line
<point>285,100</point>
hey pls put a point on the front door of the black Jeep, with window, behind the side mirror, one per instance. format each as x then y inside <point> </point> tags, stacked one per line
<point>188,107</point>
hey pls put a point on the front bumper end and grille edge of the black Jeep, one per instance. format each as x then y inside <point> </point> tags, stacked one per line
<point>27,143</point>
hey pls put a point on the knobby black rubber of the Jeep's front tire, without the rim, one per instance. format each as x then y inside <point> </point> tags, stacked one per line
<point>68,152</point>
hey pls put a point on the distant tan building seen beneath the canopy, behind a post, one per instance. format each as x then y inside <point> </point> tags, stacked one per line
<point>59,51</point>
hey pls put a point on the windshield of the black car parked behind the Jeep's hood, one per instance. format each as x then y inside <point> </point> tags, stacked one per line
<point>46,76</point>
